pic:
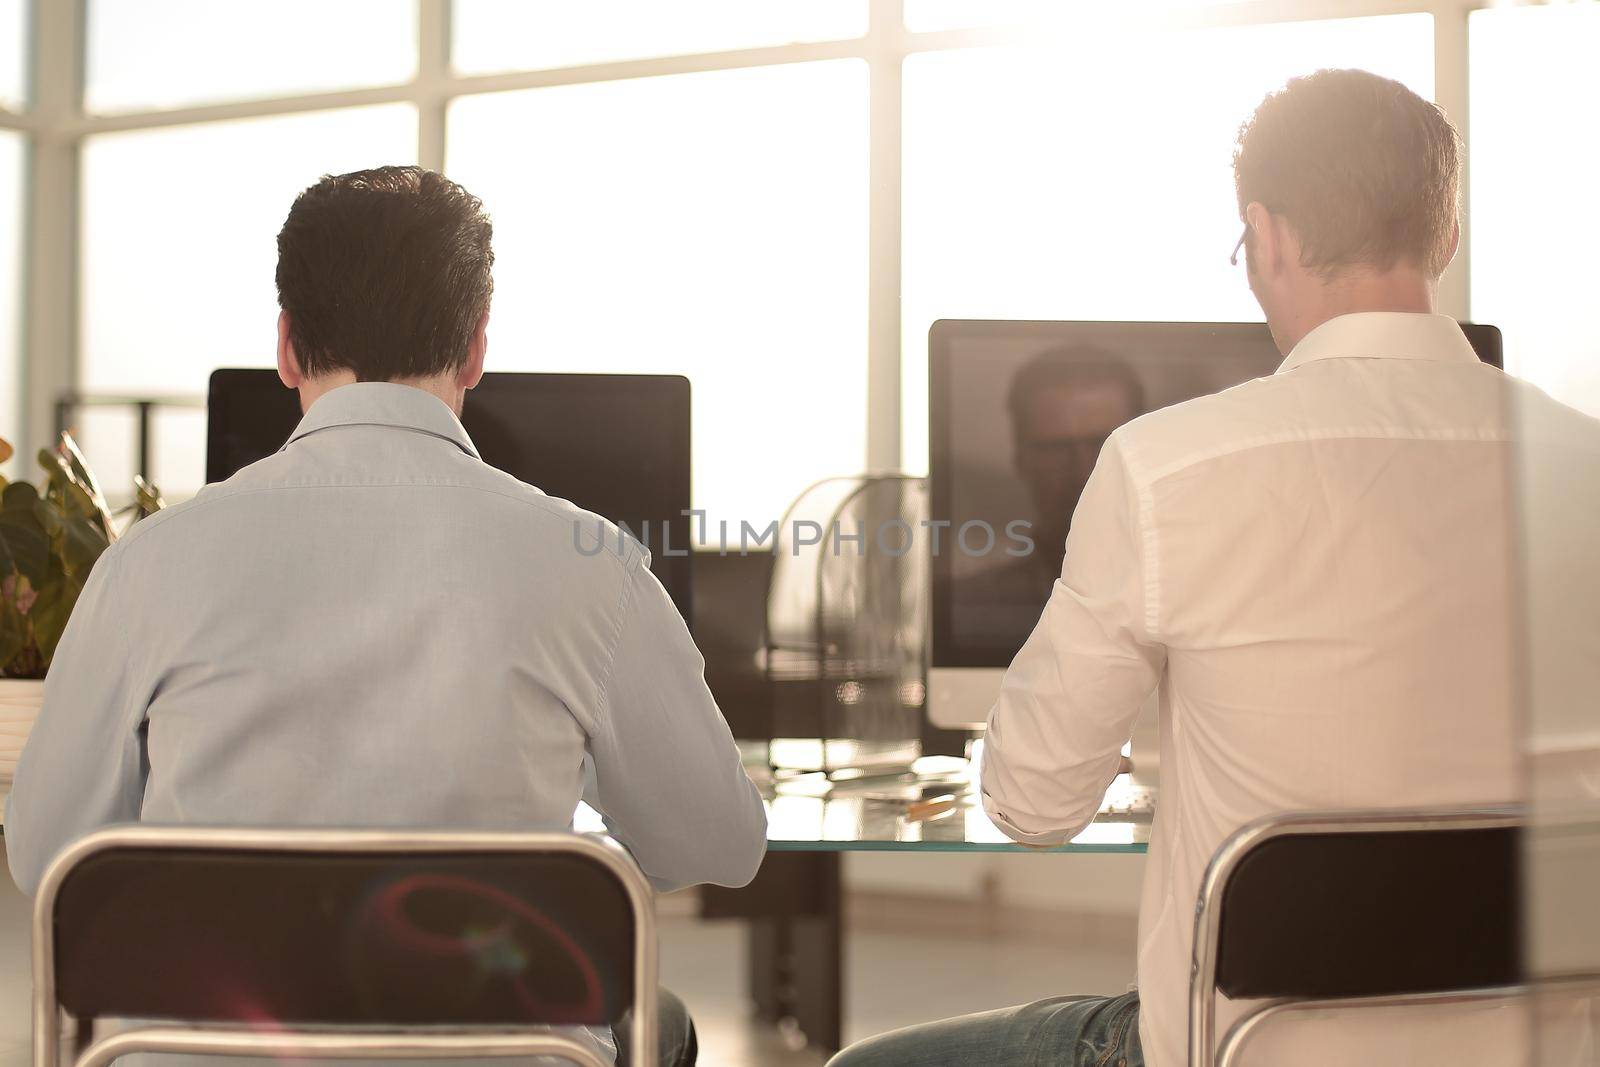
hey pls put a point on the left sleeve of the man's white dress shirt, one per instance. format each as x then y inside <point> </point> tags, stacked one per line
<point>1071,697</point>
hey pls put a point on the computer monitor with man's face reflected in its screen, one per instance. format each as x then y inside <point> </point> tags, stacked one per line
<point>1018,415</point>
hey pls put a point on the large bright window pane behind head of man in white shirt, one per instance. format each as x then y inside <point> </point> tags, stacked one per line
<point>1092,178</point>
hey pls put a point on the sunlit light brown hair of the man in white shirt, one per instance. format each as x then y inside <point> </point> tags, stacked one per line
<point>1364,169</point>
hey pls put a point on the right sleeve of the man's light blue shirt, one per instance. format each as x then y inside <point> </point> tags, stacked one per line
<point>668,778</point>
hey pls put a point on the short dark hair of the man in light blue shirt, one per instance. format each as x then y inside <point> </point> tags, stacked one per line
<point>385,273</point>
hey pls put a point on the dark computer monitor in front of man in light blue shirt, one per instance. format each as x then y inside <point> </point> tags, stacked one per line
<point>617,446</point>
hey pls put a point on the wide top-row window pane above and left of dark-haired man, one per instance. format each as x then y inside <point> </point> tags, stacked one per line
<point>146,55</point>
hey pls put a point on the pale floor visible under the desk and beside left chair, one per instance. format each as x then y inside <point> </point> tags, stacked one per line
<point>892,981</point>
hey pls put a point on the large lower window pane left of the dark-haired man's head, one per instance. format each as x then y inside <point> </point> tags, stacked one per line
<point>178,258</point>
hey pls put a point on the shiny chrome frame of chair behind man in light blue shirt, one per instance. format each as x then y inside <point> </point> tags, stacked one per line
<point>334,1042</point>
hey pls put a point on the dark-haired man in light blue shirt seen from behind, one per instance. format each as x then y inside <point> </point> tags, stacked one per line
<point>375,628</point>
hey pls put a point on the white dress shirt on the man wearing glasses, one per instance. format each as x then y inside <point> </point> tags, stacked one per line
<point>1316,573</point>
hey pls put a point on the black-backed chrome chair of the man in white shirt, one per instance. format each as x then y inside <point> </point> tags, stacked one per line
<point>1356,909</point>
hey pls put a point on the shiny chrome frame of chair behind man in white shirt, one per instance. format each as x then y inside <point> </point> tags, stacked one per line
<point>1209,921</point>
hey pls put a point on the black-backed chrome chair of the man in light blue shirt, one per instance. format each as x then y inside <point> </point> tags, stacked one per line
<point>343,945</point>
